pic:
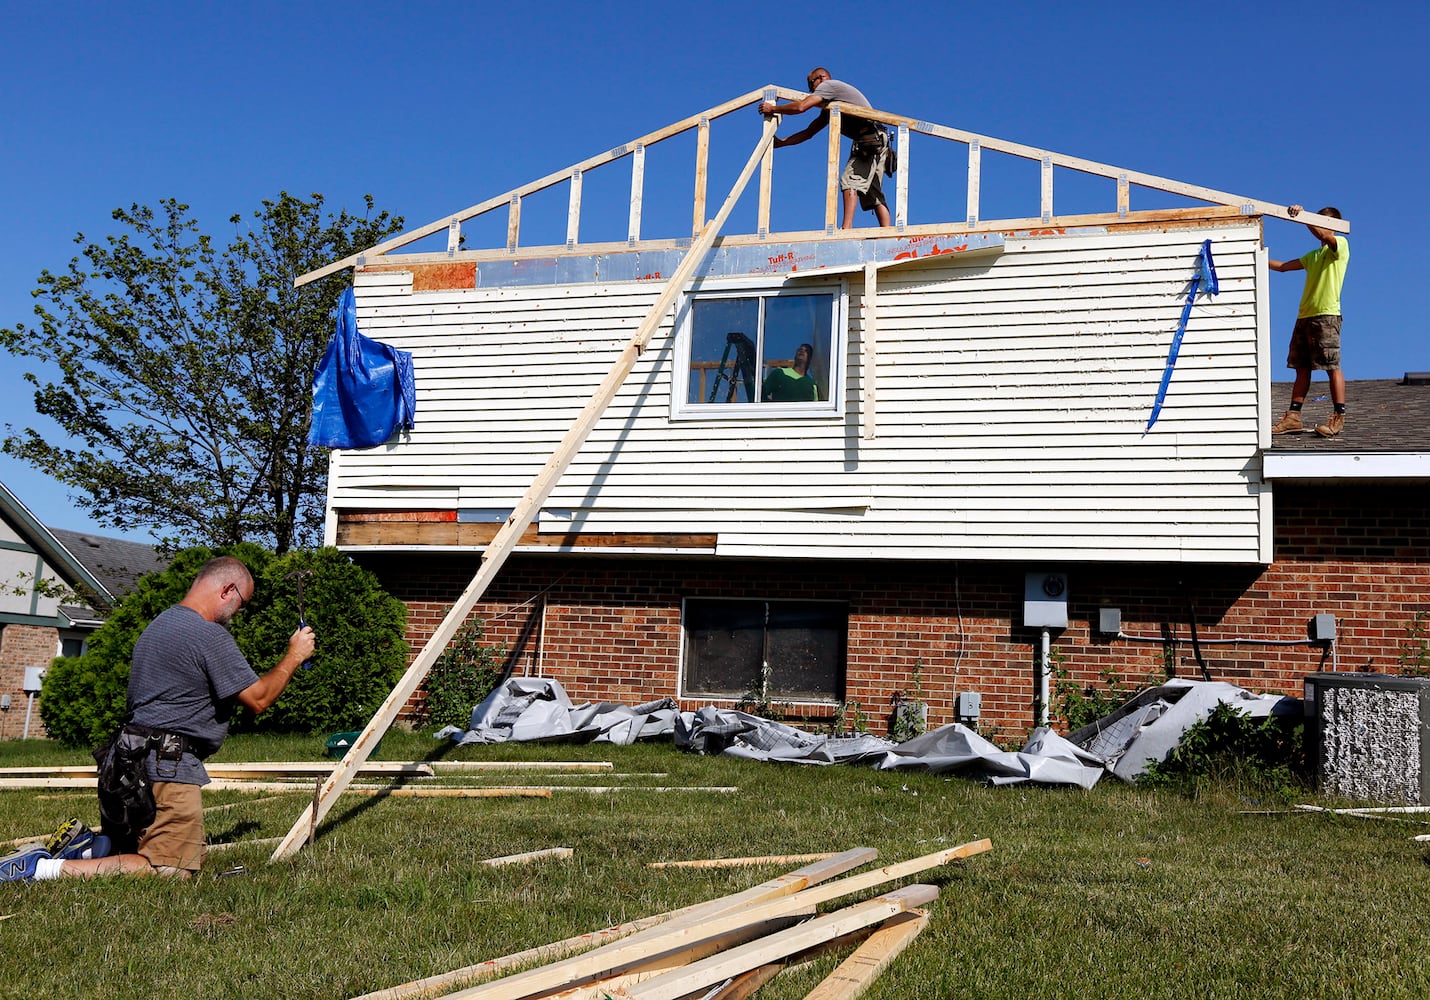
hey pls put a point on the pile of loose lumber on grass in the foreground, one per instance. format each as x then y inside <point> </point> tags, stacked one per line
<point>727,948</point>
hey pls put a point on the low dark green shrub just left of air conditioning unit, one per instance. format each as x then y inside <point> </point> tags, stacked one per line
<point>1232,749</point>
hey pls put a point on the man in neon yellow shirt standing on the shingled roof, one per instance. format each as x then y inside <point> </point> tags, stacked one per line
<point>1316,338</point>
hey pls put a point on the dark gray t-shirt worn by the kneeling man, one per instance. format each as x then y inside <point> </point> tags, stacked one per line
<point>185,675</point>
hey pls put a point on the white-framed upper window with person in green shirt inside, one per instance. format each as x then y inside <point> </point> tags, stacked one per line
<point>756,353</point>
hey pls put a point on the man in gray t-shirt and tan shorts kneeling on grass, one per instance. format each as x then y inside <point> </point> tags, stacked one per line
<point>185,677</point>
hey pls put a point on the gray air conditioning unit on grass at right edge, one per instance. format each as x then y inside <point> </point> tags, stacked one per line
<point>1368,736</point>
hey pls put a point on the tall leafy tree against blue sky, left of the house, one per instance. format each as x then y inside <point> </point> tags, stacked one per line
<point>185,371</point>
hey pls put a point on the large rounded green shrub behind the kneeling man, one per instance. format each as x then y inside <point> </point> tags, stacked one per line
<point>360,657</point>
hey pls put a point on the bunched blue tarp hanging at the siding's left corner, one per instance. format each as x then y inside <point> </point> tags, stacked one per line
<point>364,390</point>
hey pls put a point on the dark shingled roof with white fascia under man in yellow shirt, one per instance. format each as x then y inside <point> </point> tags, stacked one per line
<point>1386,437</point>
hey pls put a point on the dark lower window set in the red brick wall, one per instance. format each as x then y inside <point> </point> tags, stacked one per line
<point>766,650</point>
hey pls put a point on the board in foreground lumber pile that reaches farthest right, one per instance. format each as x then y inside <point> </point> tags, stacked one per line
<point>680,933</point>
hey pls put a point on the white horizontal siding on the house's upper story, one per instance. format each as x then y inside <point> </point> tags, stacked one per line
<point>1012,398</point>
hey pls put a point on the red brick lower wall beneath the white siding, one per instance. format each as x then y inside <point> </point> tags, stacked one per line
<point>611,629</point>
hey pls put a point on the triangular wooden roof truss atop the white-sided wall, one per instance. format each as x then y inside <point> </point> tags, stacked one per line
<point>1219,202</point>
